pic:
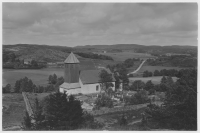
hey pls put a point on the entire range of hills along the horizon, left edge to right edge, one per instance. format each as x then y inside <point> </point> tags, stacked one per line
<point>59,53</point>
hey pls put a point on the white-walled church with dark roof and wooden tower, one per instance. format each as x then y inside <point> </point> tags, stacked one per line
<point>81,82</point>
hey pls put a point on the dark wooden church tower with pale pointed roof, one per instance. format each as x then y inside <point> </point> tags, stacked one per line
<point>71,69</point>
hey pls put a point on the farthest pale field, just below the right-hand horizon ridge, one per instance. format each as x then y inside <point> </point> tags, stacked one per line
<point>121,56</point>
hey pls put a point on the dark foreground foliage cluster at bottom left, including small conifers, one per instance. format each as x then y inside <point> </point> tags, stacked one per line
<point>59,112</point>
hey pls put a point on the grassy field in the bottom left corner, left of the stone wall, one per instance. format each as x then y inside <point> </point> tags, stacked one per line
<point>13,110</point>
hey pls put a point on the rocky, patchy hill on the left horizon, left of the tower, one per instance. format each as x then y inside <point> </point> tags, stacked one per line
<point>39,52</point>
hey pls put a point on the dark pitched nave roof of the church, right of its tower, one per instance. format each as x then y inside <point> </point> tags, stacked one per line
<point>92,76</point>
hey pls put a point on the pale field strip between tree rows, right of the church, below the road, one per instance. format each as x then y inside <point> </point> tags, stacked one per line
<point>154,79</point>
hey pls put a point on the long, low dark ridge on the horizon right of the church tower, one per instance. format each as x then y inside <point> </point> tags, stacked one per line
<point>142,49</point>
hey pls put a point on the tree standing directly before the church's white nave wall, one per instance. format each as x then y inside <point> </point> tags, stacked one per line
<point>106,80</point>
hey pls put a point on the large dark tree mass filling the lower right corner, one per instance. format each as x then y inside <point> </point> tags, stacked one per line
<point>179,111</point>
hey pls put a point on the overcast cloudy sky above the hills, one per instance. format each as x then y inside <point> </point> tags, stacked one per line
<point>74,24</point>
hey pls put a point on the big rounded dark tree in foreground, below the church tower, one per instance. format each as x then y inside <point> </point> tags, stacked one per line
<point>63,112</point>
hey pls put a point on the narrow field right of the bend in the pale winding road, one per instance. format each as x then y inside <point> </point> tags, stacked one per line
<point>153,68</point>
